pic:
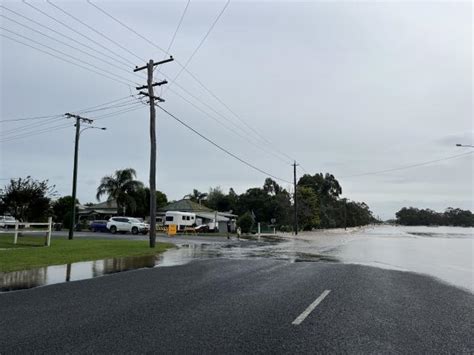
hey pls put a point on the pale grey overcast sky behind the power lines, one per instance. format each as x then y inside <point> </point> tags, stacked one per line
<point>342,87</point>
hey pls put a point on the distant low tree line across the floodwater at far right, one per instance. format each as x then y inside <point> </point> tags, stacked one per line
<point>412,216</point>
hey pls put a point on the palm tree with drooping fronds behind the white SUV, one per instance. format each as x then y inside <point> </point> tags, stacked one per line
<point>118,187</point>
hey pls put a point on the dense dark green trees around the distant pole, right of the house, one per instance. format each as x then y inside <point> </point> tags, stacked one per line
<point>318,204</point>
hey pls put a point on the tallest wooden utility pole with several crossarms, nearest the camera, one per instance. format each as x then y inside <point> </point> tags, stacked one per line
<point>151,96</point>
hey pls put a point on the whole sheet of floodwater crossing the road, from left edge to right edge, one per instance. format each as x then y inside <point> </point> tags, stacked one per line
<point>442,252</point>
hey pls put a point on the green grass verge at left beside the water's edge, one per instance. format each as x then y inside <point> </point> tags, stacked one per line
<point>29,252</point>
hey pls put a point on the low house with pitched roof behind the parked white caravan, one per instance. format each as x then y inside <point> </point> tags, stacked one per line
<point>223,221</point>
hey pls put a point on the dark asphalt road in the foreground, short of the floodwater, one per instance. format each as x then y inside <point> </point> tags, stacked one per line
<point>241,306</point>
